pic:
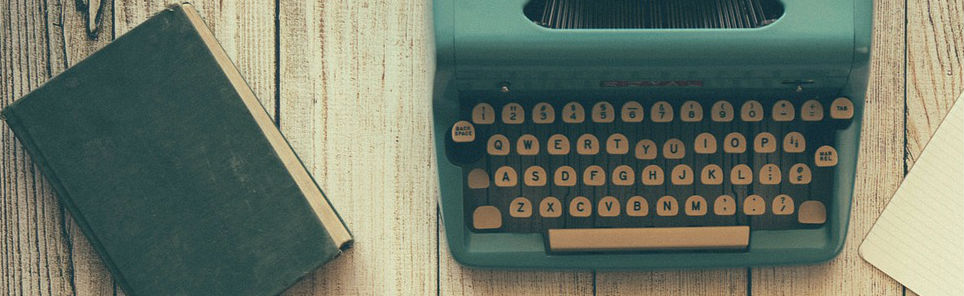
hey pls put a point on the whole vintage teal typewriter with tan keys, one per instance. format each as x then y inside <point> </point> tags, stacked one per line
<point>650,133</point>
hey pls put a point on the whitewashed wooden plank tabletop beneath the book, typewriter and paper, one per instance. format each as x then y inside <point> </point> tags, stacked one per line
<point>350,84</point>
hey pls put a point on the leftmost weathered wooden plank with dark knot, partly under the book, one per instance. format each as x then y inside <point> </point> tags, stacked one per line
<point>44,251</point>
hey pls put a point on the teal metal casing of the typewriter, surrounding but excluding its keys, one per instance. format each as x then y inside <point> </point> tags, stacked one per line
<point>823,45</point>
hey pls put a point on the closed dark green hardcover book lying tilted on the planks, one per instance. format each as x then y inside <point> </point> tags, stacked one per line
<point>174,170</point>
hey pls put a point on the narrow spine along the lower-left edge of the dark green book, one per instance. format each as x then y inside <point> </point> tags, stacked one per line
<point>9,115</point>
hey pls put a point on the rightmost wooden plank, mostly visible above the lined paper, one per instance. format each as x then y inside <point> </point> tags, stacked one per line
<point>935,42</point>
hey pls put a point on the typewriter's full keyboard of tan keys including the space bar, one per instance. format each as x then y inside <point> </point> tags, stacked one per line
<point>647,174</point>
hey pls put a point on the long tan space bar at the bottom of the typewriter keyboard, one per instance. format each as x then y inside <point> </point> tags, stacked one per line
<point>648,239</point>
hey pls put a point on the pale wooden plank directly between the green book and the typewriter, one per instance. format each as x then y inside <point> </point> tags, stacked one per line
<point>355,99</point>
